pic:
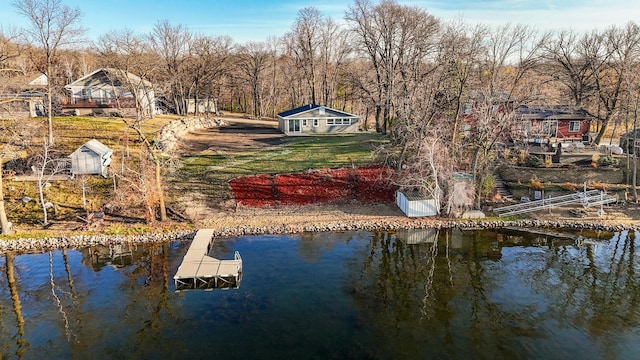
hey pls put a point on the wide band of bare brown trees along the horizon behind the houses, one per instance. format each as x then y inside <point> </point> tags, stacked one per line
<point>367,63</point>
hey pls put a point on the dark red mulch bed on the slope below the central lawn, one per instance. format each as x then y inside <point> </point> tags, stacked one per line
<point>365,184</point>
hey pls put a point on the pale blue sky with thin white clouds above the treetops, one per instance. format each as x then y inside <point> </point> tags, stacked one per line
<point>256,20</point>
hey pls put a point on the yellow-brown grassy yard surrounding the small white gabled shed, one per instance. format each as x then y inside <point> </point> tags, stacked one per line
<point>69,133</point>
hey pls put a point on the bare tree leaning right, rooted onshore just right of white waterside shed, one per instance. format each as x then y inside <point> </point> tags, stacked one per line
<point>512,54</point>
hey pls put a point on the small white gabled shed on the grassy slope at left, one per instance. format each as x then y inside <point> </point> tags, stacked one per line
<point>92,158</point>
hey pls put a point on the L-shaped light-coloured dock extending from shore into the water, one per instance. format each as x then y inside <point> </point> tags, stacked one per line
<point>200,271</point>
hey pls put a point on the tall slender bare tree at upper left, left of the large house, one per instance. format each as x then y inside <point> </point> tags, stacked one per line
<point>52,26</point>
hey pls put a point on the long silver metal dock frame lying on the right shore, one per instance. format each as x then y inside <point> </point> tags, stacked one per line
<point>586,198</point>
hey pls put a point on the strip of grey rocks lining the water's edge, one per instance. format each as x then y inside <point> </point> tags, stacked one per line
<point>30,245</point>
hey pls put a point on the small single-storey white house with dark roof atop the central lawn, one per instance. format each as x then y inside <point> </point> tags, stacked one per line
<point>317,119</point>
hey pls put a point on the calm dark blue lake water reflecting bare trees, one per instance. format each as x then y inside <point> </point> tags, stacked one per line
<point>424,295</point>
